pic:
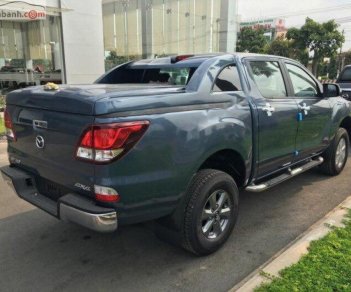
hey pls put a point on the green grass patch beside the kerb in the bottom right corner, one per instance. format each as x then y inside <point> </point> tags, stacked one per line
<point>326,267</point>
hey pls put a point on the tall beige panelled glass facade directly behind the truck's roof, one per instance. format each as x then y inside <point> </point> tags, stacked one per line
<point>135,29</point>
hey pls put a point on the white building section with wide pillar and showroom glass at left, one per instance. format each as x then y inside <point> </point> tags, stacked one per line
<point>63,44</point>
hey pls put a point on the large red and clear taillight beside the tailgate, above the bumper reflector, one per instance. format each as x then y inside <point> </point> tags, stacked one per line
<point>106,142</point>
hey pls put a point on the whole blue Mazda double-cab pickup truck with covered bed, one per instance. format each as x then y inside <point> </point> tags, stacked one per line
<point>173,140</point>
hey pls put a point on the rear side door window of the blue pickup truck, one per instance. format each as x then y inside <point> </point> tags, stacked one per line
<point>268,78</point>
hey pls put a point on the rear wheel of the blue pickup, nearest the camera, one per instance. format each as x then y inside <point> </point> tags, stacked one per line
<point>210,212</point>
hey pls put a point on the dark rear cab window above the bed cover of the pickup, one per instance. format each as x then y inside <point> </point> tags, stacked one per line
<point>164,75</point>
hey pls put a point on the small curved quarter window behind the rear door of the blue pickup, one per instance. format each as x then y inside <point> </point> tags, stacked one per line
<point>228,80</point>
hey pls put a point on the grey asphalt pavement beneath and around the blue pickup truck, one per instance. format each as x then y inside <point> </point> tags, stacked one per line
<point>38,252</point>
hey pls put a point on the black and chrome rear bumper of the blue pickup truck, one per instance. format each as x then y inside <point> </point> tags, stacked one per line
<point>70,207</point>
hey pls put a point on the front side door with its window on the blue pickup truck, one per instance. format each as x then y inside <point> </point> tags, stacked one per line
<point>315,112</point>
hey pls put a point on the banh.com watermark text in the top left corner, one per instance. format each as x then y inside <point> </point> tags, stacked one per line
<point>21,10</point>
